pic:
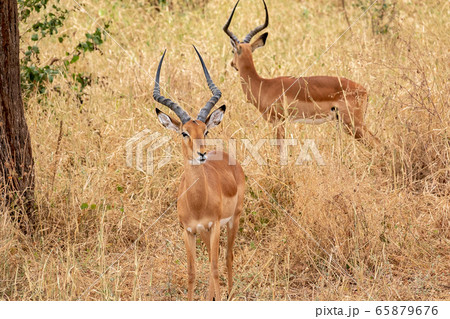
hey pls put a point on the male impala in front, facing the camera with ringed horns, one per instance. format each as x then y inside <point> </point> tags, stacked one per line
<point>211,192</point>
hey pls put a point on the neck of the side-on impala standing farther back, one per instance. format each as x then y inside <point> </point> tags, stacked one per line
<point>250,79</point>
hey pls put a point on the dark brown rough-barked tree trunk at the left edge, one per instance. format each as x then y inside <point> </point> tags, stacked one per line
<point>16,161</point>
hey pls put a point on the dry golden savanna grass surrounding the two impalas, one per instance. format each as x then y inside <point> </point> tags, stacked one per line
<point>371,224</point>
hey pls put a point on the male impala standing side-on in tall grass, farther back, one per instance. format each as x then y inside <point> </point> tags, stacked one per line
<point>310,100</point>
